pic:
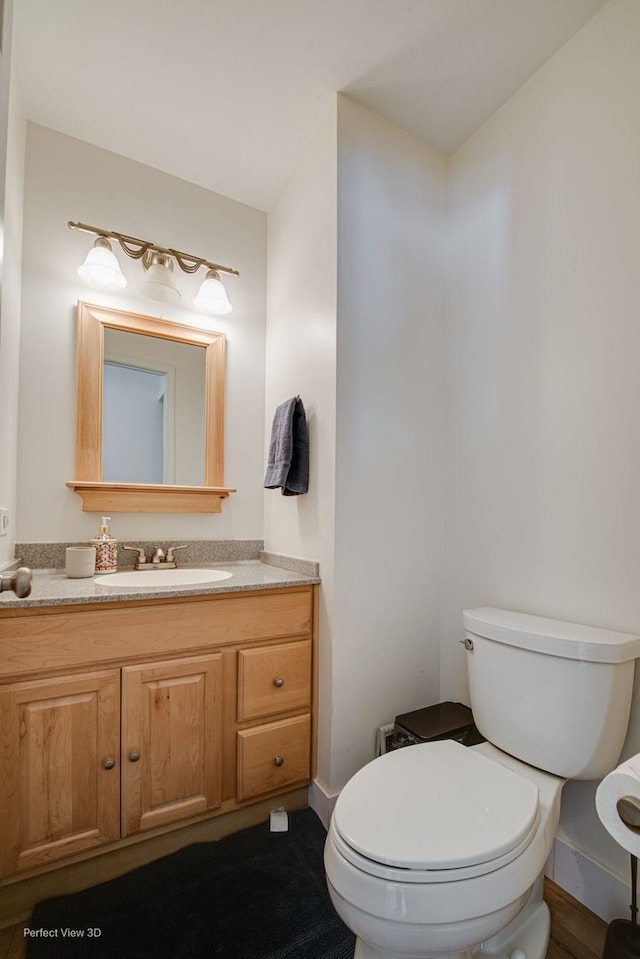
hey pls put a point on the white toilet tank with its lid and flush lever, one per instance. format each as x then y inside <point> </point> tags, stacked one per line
<point>556,695</point>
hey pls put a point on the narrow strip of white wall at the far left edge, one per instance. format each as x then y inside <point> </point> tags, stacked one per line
<point>12,137</point>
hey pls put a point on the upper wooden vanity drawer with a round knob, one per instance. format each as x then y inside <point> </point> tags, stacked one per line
<point>273,679</point>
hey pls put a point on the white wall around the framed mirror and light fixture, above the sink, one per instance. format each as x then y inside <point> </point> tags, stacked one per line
<point>67,179</point>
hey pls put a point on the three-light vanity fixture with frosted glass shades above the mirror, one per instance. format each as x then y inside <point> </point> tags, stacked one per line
<point>101,269</point>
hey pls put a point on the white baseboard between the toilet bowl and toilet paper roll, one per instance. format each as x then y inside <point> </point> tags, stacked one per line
<point>601,891</point>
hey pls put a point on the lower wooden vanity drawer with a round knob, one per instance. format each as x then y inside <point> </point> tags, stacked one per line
<point>273,756</point>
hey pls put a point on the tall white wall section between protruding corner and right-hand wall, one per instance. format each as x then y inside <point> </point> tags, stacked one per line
<point>389,439</point>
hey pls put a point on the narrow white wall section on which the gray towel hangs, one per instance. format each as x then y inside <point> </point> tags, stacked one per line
<point>301,358</point>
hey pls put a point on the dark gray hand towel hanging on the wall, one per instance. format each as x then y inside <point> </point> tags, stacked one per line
<point>288,464</point>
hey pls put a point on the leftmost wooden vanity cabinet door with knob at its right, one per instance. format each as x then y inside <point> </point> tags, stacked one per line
<point>59,768</point>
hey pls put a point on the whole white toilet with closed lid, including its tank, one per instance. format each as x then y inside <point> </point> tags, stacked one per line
<point>438,850</point>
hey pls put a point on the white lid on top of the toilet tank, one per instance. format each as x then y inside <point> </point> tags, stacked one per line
<point>551,636</point>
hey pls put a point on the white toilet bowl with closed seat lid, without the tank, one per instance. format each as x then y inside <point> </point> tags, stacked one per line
<point>448,854</point>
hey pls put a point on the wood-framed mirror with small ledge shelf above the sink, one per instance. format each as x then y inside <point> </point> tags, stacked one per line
<point>149,414</point>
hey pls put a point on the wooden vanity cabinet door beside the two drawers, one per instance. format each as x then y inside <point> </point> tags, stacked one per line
<point>171,741</point>
